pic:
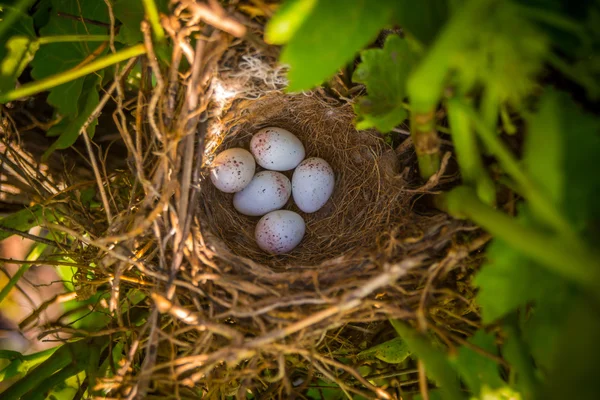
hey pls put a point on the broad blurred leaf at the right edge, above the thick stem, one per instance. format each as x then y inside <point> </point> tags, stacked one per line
<point>561,145</point>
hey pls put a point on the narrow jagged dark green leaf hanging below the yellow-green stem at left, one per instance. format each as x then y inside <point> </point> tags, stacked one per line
<point>68,129</point>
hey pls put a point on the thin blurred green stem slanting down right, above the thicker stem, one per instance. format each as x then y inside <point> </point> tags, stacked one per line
<point>539,202</point>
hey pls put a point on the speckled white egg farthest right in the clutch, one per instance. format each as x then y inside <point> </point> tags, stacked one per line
<point>312,184</point>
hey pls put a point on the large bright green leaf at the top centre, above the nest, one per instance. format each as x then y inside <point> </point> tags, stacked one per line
<point>330,37</point>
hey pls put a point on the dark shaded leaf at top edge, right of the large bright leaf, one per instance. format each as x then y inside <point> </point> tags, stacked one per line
<point>424,21</point>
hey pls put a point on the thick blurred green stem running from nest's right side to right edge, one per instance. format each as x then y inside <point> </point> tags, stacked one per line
<point>575,263</point>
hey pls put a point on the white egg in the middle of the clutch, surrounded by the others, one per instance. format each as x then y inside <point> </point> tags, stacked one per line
<point>268,191</point>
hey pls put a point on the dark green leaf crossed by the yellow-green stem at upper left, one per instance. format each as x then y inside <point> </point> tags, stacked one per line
<point>59,57</point>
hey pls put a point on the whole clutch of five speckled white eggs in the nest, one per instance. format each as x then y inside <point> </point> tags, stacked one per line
<point>264,194</point>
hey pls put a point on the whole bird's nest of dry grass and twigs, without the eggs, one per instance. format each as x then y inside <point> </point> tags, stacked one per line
<point>222,318</point>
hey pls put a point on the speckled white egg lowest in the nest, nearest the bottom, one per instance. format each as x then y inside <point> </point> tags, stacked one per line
<point>279,231</point>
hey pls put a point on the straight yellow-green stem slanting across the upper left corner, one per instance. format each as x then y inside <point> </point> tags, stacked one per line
<point>72,74</point>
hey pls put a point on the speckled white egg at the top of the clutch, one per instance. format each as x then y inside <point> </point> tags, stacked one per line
<point>276,149</point>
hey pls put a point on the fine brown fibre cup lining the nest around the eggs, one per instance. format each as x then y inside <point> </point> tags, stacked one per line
<point>368,199</point>
